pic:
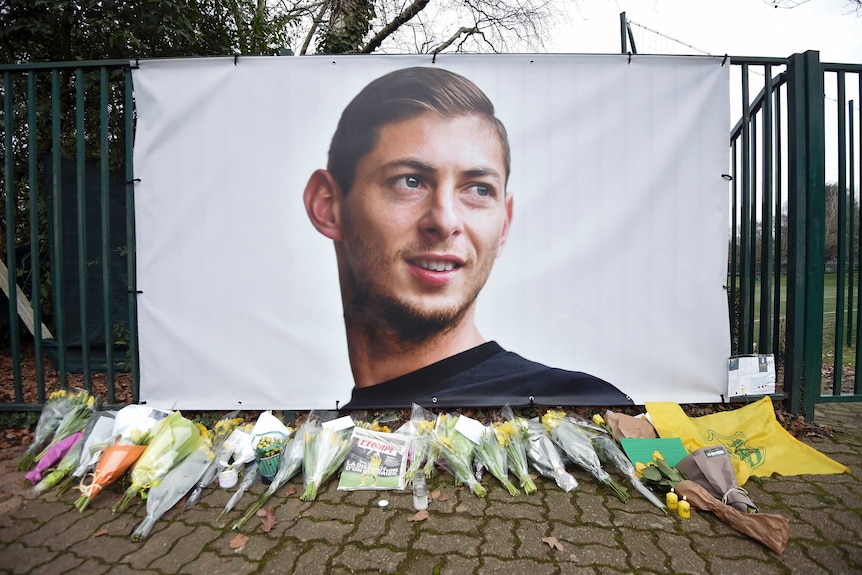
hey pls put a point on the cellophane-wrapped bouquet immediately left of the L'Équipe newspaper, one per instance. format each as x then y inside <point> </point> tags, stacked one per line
<point>325,448</point>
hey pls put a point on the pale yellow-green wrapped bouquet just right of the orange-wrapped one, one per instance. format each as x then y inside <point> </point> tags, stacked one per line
<point>173,439</point>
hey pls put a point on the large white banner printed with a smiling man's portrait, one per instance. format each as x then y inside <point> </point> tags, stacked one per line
<point>362,232</point>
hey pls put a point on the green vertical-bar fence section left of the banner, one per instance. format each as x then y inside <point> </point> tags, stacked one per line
<point>67,154</point>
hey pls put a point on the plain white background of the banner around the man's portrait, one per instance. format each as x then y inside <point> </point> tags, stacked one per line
<point>615,262</point>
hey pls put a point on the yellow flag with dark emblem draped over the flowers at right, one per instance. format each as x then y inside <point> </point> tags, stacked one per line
<point>757,443</point>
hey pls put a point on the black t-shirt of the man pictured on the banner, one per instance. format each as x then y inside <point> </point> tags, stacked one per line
<point>488,376</point>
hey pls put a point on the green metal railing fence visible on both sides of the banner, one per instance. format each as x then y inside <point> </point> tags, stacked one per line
<point>68,210</point>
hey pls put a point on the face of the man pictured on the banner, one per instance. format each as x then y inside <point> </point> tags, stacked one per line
<point>425,219</point>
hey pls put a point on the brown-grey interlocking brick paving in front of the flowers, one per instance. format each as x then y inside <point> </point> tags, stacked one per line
<point>347,532</point>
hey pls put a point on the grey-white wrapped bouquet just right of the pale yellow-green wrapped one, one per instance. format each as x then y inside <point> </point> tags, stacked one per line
<point>175,484</point>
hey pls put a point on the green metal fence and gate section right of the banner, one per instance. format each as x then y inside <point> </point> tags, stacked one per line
<point>794,251</point>
